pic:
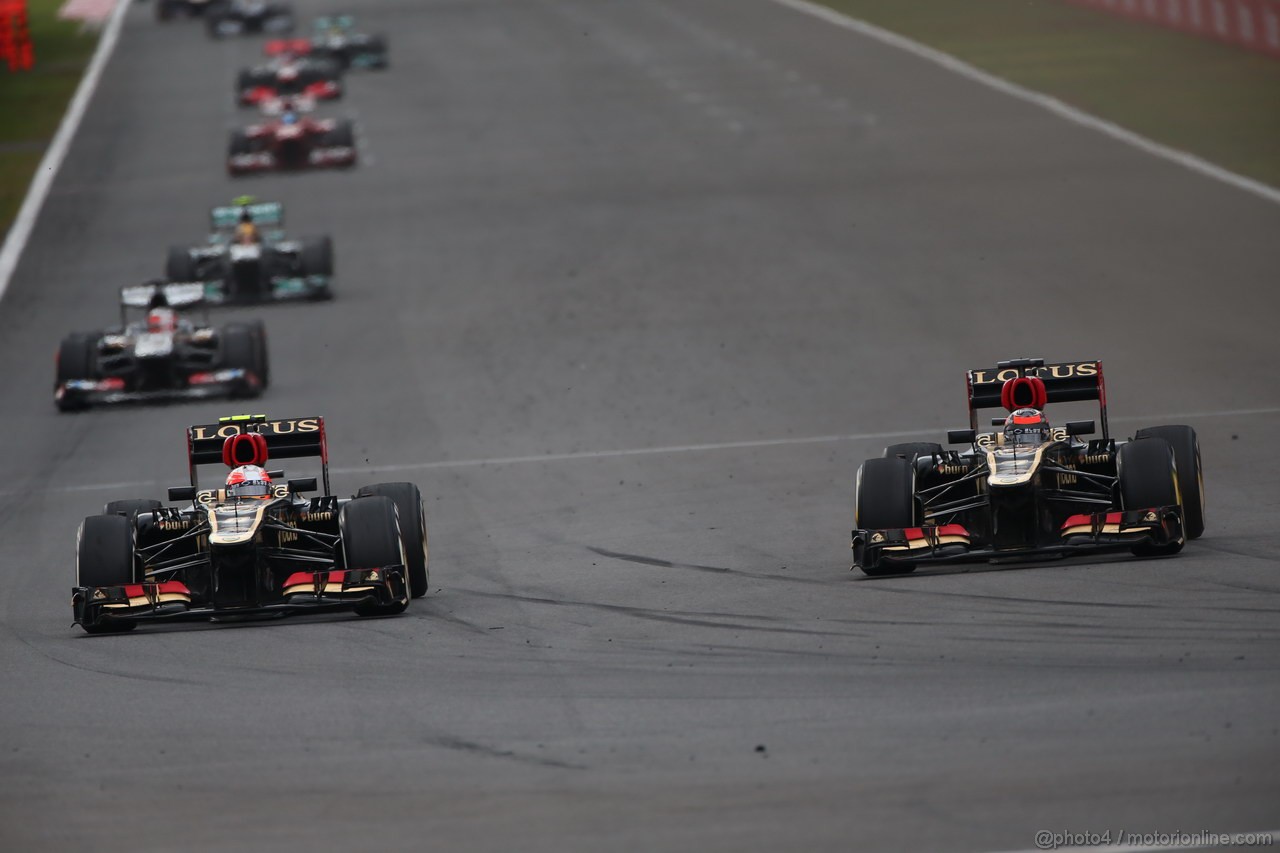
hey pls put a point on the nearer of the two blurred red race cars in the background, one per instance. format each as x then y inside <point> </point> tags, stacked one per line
<point>292,143</point>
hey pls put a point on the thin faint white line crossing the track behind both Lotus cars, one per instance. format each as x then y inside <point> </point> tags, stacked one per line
<point>644,451</point>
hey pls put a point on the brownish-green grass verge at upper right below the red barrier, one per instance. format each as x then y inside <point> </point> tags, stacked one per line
<point>1218,102</point>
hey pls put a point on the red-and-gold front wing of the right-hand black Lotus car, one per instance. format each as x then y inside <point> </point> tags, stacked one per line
<point>1096,532</point>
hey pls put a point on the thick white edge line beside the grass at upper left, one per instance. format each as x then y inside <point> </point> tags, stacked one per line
<point>49,166</point>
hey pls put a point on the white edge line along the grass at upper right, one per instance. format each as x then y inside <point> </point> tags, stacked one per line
<point>1032,97</point>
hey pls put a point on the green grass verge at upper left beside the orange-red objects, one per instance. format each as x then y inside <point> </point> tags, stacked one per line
<point>33,103</point>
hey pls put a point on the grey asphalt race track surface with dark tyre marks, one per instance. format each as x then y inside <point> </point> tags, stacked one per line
<point>630,290</point>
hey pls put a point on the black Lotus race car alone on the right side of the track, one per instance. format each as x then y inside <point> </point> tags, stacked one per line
<point>1004,498</point>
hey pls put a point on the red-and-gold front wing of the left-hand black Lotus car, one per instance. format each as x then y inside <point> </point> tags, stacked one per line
<point>310,592</point>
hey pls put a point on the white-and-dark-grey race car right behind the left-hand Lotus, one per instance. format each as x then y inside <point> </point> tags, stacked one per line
<point>161,354</point>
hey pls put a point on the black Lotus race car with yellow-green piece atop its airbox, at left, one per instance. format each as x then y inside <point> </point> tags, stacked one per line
<point>222,556</point>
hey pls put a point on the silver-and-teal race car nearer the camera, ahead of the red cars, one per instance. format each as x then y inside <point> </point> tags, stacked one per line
<point>259,264</point>
